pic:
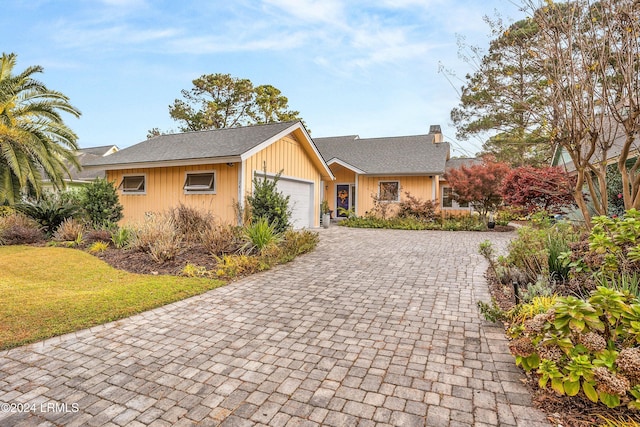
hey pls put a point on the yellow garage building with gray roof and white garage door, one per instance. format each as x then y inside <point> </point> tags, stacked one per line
<point>214,170</point>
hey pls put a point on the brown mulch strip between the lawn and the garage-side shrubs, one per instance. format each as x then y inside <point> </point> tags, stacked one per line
<point>142,263</point>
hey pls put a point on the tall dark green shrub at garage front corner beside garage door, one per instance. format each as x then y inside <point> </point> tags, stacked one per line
<point>269,203</point>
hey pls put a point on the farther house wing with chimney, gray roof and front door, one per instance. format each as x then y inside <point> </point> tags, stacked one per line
<point>387,169</point>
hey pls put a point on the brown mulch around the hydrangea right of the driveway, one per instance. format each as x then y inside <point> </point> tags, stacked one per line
<point>575,411</point>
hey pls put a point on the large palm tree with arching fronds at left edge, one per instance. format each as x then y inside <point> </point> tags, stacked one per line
<point>34,141</point>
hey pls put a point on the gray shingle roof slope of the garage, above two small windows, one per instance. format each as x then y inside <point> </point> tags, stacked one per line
<point>228,142</point>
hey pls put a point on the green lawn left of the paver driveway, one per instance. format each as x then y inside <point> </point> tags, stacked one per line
<point>48,291</point>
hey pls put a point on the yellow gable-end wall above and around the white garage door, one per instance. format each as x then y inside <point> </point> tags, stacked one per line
<point>289,156</point>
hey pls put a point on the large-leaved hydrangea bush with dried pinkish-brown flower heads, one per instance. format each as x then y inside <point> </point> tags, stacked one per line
<point>584,346</point>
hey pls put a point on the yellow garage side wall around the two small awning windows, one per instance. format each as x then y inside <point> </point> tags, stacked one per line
<point>165,190</point>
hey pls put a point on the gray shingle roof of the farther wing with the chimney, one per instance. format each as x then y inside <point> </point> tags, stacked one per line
<point>394,155</point>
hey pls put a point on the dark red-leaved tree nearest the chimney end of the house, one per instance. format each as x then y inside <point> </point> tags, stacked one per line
<point>479,184</point>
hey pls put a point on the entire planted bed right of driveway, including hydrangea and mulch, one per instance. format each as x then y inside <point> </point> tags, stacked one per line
<point>570,302</point>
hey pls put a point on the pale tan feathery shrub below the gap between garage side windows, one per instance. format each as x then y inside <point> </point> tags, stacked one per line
<point>157,236</point>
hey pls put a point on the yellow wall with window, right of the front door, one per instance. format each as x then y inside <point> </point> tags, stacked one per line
<point>420,187</point>
